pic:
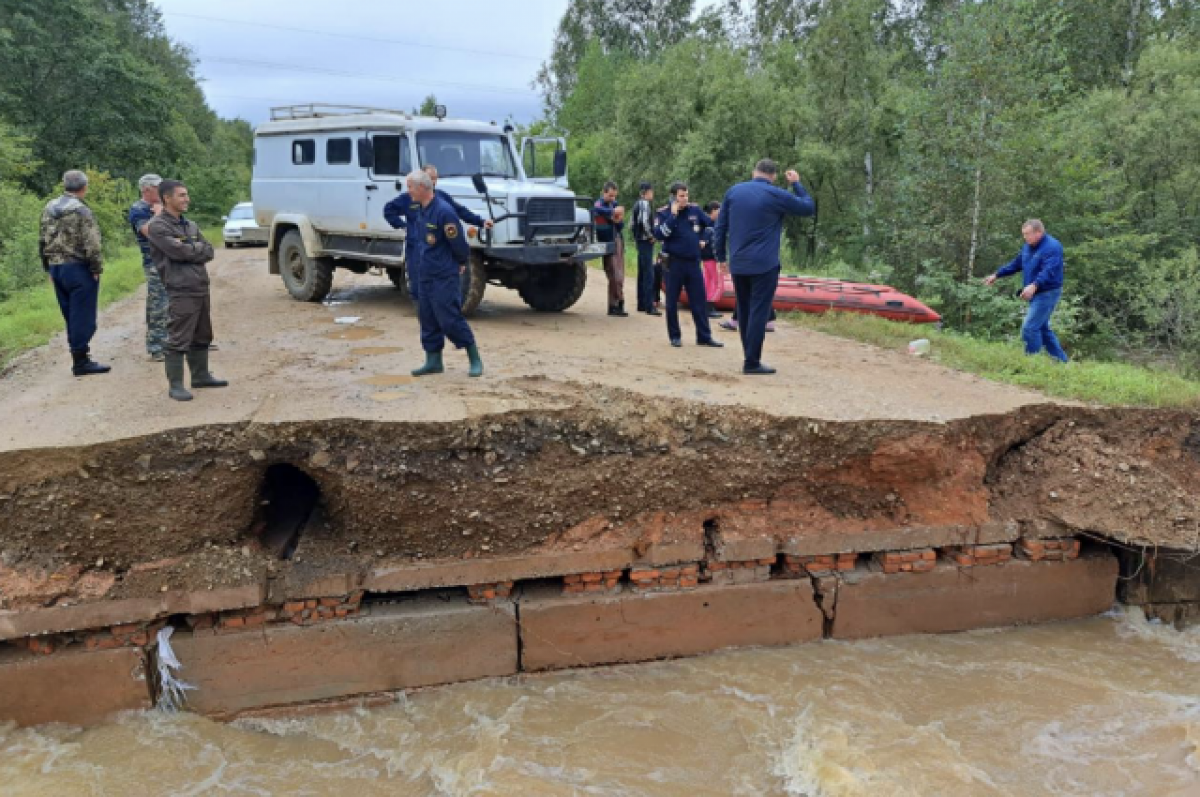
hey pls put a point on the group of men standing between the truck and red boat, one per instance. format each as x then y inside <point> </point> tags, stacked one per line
<point>745,239</point>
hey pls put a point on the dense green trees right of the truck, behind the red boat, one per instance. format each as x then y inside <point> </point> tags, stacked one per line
<point>928,131</point>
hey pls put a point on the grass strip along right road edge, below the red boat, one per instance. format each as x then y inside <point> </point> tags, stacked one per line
<point>1089,381</point>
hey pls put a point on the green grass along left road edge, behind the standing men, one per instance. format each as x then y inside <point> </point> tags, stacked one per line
<point>32,317</point>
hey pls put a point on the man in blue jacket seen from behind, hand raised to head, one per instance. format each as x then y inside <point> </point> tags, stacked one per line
<point>749,231</point>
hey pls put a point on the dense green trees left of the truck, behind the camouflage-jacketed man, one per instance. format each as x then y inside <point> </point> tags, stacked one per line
<point>97,85</point>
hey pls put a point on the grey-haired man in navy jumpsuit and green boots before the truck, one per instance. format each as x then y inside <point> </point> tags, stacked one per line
<point>443,251</point>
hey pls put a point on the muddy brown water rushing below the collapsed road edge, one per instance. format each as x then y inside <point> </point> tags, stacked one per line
<point>1107,706</point>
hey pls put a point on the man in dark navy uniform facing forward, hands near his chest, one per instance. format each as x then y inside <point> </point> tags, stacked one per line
<point>680,226</point>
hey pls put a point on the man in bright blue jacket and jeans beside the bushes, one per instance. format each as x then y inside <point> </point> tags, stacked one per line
<point>1041,265</point>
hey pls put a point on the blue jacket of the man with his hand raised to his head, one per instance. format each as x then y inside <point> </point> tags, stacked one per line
<point>752,224</point>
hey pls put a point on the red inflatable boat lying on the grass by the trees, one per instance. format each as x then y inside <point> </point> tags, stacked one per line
<point>819,296</point>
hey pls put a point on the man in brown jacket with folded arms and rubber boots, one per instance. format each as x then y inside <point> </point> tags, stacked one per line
<point>181,256</point>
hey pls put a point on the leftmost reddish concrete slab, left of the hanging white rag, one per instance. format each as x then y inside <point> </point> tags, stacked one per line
<point>79,688</point>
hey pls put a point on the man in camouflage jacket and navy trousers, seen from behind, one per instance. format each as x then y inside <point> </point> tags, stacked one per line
<point>71,254</point>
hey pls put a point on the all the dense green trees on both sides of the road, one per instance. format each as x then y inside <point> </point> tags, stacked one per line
<point>927,130</point>
